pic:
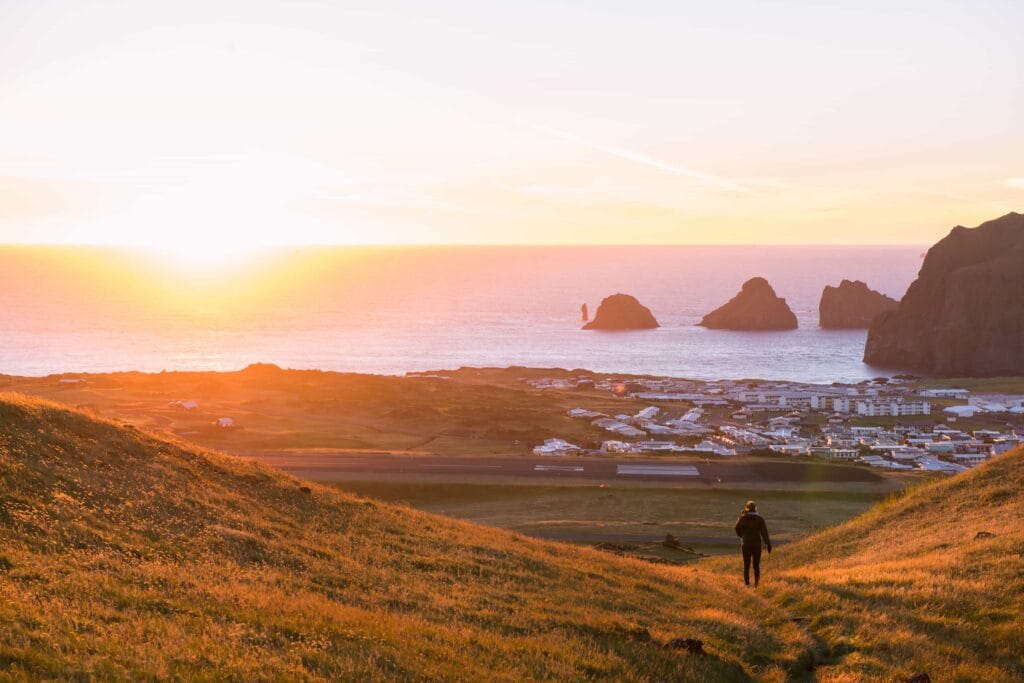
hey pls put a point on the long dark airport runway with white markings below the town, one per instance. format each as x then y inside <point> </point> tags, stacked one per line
<point>343,466</point>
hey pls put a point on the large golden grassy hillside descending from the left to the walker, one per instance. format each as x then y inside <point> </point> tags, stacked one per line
<point>124,556</point>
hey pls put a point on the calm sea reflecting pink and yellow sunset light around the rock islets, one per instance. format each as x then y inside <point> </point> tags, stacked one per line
<point>392,311</point>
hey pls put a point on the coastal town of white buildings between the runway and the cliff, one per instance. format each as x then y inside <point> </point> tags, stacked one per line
<point>886,423</point>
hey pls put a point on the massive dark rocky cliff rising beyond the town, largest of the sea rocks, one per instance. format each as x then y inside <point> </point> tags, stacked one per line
<point>965,314</point>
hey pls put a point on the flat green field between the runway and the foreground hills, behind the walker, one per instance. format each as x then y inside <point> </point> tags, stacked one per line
<point>702,519</point>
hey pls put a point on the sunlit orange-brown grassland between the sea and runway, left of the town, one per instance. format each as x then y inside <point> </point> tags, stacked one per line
<point>294,410</point>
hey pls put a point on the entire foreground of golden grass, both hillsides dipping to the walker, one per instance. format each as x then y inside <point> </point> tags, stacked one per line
<point>124,556</point>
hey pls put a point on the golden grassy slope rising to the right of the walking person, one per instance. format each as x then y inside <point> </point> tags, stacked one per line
<point>907,588</point>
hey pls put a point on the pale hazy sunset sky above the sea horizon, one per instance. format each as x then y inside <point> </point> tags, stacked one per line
<point>214,123</point>
